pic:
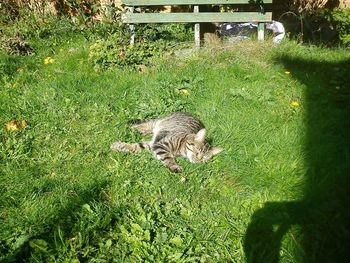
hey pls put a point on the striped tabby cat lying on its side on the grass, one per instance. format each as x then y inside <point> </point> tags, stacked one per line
<point>178,134</point>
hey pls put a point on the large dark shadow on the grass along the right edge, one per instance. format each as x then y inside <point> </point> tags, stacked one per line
<point>323,214</point>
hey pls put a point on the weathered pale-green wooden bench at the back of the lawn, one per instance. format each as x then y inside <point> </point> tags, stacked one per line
<point>197,17</point>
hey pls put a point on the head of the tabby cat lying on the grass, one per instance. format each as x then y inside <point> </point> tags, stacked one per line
<point>199,150</point>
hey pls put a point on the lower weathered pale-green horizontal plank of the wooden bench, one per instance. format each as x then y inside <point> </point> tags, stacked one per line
<point>139,18</point>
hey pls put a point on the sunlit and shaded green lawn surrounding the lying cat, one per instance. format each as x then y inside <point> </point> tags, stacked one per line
<point>278,191</point>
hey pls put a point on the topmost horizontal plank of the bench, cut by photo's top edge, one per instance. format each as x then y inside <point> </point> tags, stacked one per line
<point>190,2</point>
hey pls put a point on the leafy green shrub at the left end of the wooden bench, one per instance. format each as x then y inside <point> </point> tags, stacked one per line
<point>151,41</point>
